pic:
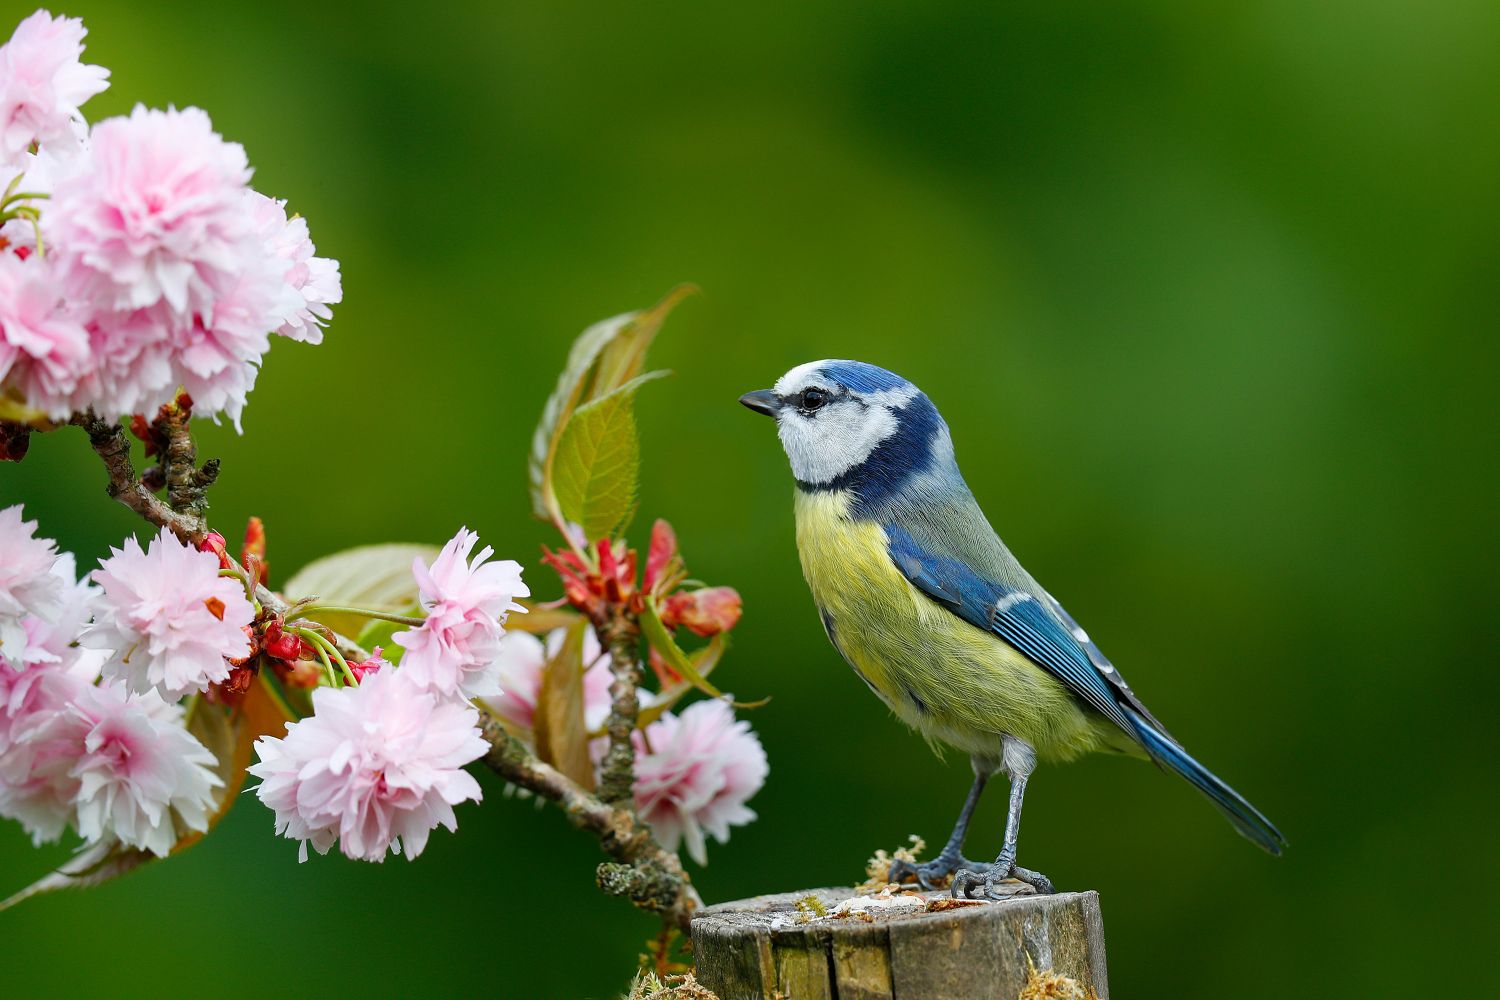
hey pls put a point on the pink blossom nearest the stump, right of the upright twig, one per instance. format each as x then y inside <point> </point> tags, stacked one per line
<point>701,770</point>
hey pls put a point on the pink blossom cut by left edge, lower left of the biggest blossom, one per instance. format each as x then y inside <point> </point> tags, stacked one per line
<point>44,352</point>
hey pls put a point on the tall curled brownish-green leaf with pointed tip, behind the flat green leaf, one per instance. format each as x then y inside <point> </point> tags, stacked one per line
<point>605,358</point>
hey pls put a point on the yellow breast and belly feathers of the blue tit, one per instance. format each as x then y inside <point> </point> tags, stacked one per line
<point>947,678</point>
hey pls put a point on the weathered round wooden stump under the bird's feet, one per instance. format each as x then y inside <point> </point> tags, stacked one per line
<point>914,945</point>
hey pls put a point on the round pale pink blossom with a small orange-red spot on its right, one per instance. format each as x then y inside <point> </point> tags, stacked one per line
<point>167,618</point>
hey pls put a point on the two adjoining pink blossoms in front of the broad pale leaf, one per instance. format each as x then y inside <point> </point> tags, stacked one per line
<point>380,762</point>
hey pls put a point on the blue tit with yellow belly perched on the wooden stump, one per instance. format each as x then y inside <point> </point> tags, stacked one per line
<point>920,596</point>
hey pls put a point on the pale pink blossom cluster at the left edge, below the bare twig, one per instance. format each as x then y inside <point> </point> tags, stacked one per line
<point>76,750</point>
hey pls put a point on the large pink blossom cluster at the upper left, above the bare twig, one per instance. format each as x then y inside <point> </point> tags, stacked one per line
<point>134,256</point>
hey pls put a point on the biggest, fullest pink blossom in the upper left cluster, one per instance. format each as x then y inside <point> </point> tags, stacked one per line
<point>157,239</point>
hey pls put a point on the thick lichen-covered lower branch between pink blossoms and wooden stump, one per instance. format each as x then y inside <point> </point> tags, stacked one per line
<point>647,875</point>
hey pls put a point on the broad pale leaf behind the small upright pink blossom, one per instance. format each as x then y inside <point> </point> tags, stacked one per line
<point>376,578</point>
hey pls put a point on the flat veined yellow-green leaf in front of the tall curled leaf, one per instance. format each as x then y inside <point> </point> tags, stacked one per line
<point>598,467</point>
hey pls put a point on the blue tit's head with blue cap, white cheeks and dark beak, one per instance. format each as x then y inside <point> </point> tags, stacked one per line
<point>839,421</point>
